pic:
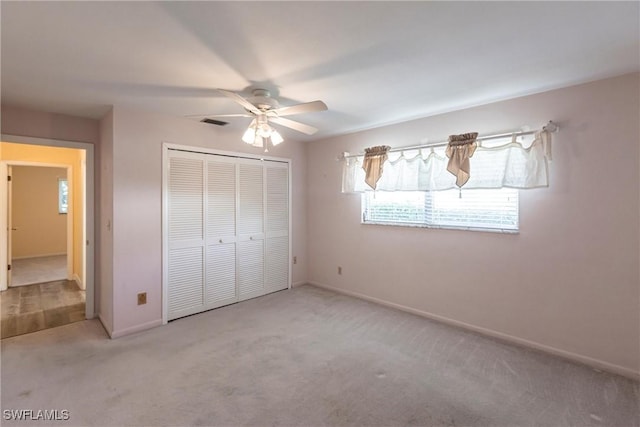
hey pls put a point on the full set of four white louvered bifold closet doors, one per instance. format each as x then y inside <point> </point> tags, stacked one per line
<point>226,228</point>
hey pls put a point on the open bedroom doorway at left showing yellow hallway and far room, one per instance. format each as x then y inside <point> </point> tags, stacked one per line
<point>49,277</point>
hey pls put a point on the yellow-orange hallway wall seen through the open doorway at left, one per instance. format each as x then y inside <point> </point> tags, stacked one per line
<point>59,156</point>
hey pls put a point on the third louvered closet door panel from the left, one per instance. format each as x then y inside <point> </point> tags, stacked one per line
<point>250,229</point>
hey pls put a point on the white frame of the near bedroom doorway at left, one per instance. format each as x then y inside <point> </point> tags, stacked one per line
<point>89,206</point>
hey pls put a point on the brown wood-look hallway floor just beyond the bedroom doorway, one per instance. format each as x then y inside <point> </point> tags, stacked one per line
<point>31,308</point>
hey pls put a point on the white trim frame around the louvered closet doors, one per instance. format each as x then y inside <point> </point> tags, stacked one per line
<point>166,147</point>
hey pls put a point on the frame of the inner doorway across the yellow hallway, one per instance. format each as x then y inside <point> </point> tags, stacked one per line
<point>6,165</point>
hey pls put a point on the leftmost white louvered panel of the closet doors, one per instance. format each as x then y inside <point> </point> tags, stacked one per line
<point>185,234</point>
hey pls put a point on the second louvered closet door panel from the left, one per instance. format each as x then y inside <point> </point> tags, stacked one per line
<point>220,259</point>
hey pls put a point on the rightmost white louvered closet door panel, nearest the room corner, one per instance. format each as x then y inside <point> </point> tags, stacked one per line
<point>277,227</point>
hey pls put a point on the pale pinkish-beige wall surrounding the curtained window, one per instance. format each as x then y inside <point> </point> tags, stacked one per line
<point>569,282</point>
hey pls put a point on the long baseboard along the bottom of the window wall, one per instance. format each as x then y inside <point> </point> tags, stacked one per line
<point>586,360</point>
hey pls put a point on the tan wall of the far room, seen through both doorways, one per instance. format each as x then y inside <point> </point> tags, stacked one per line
<point>40,230</point>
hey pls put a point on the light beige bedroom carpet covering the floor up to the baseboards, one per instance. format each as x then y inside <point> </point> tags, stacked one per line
<point>305,357</point>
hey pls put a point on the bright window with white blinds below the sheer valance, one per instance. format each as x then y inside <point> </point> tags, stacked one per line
<point>472,209</point>
